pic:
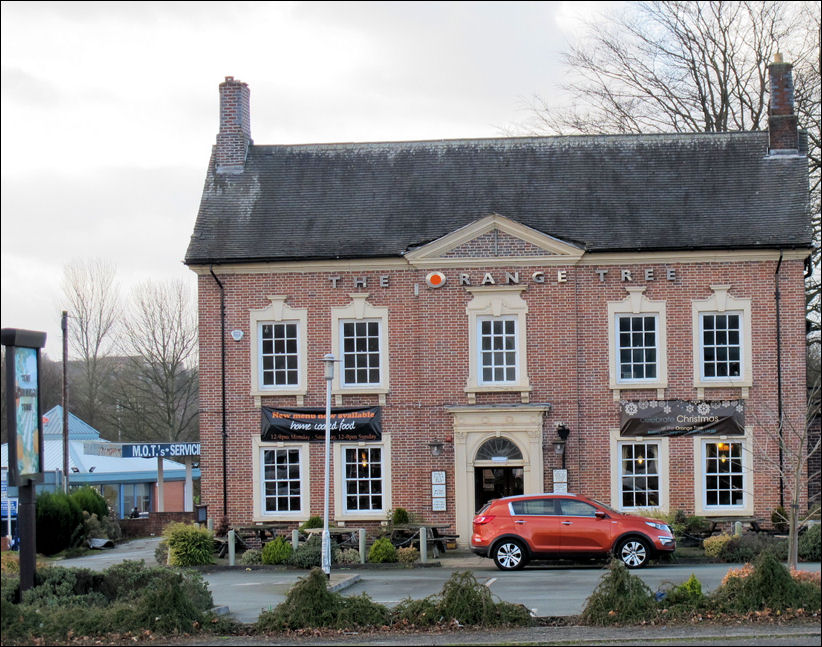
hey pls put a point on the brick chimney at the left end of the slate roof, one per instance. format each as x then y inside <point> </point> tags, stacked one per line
<point>234,137</point>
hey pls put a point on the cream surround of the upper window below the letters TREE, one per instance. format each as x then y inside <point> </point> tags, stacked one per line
<point>637,304</point>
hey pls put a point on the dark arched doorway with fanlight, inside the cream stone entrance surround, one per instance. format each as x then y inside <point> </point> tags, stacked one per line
<point>498,471</point>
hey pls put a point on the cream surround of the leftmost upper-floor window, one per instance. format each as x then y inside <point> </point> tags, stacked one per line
<point>278,312</point>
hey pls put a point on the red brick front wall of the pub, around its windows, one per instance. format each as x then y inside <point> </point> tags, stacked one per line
<point>568,365</point>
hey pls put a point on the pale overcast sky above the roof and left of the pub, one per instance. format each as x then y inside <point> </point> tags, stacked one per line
<point>109,111</point>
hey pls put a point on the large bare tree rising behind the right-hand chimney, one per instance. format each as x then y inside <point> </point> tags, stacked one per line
<point>678,66</point>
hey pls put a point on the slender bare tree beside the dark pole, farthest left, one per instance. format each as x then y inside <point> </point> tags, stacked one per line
<point>93,305</point>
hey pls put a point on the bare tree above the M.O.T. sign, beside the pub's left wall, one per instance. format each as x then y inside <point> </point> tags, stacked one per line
<point>157,390</point>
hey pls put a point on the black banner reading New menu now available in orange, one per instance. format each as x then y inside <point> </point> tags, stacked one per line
<point>308,424</point>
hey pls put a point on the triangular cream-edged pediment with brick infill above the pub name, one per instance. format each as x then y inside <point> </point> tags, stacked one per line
<point>493,240</point>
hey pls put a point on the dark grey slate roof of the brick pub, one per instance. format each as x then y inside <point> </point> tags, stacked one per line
<point>605,193</point>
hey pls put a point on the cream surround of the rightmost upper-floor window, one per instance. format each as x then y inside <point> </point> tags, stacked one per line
<point>722,303</point>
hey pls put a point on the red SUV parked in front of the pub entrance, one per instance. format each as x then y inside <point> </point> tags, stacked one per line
<point>514,530</point>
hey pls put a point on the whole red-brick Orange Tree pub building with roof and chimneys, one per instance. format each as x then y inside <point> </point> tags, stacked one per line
<point>618,316</point>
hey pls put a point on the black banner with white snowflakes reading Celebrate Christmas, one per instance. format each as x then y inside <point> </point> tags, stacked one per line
<point>681,418</point>
